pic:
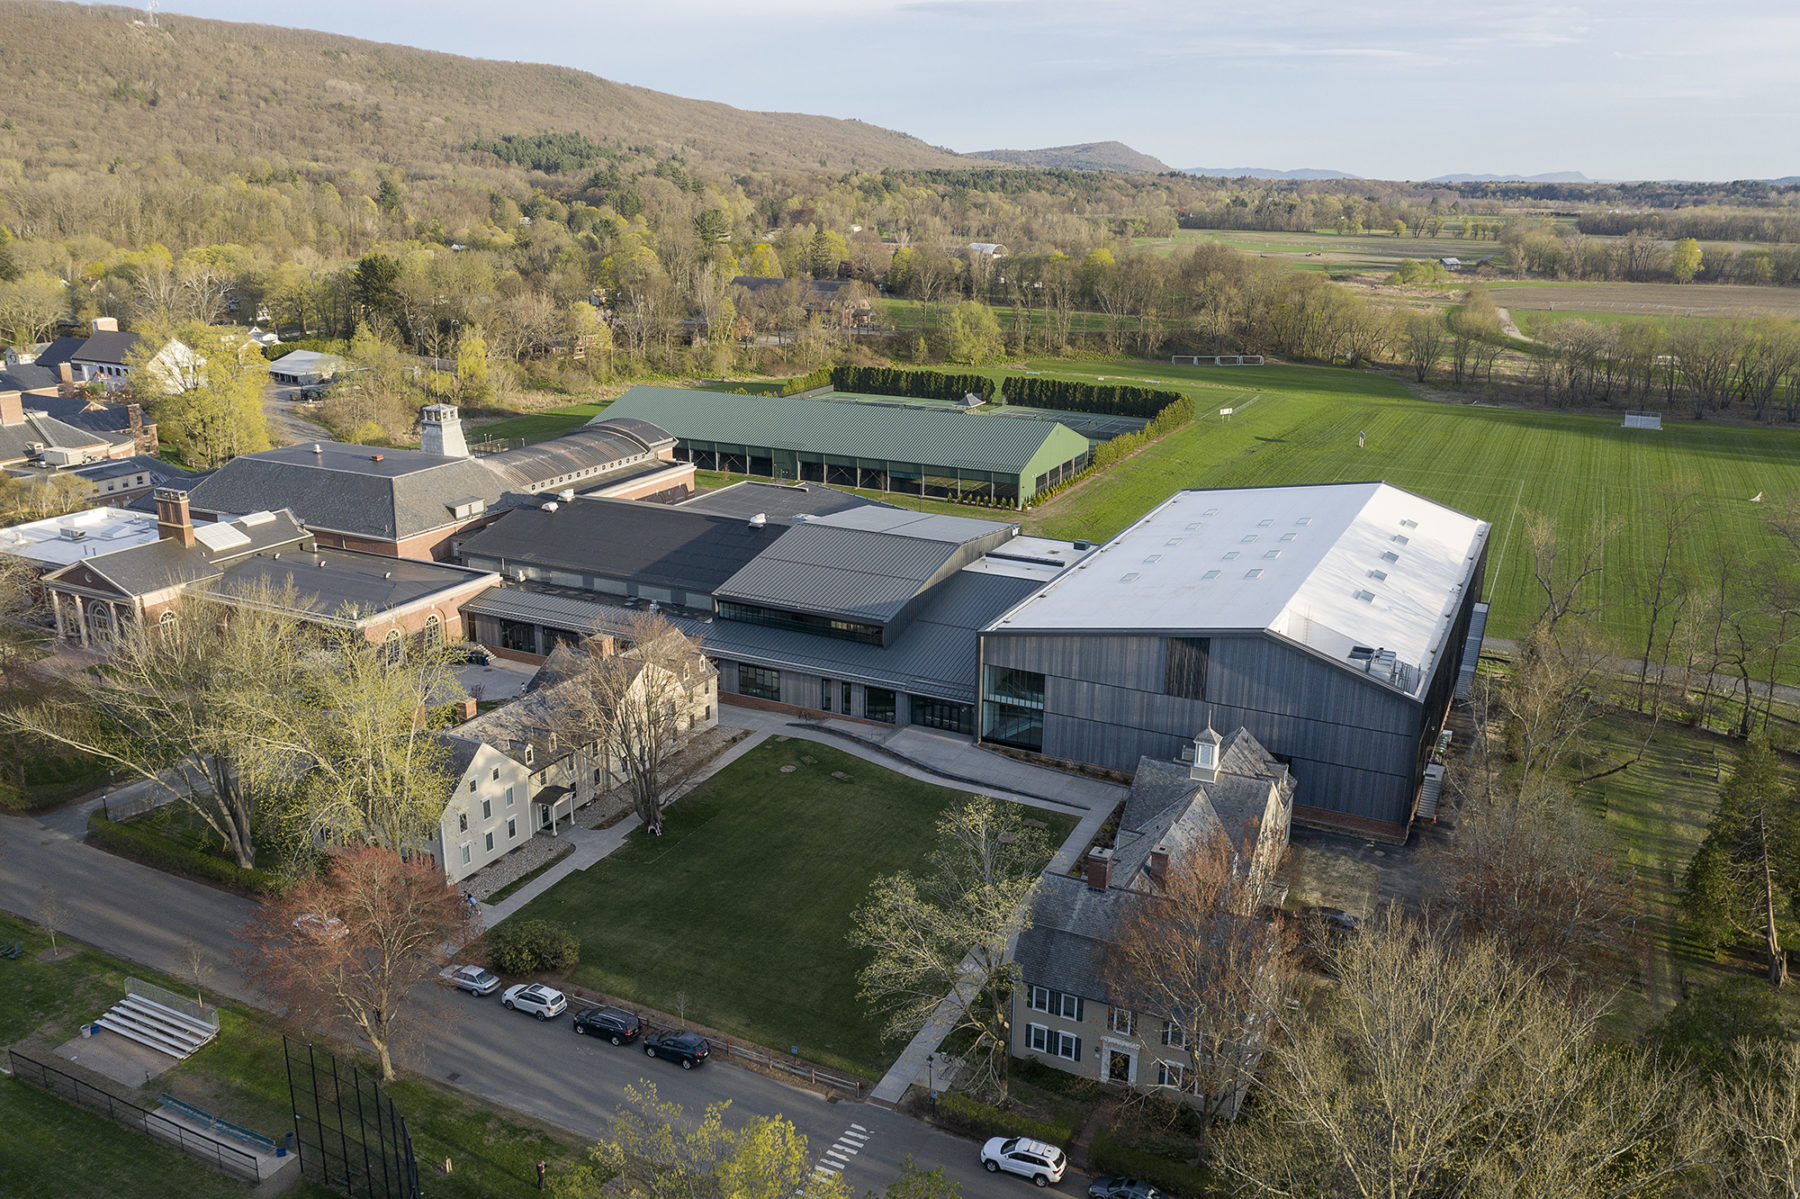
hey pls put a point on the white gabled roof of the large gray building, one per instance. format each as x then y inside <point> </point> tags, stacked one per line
<point>1331,568</point>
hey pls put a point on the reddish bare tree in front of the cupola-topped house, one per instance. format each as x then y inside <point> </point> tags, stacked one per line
<point>1201,957</point>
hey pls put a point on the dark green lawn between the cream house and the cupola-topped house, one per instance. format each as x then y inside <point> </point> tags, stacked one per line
<point>744,903</point>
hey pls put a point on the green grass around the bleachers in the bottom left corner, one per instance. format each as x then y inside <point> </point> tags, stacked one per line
<point>58,1151</point>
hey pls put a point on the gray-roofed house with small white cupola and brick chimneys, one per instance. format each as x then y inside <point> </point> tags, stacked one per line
<point>1066,1011</point>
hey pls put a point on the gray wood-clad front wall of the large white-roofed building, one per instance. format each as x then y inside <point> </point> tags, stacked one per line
<point>1353,743</point>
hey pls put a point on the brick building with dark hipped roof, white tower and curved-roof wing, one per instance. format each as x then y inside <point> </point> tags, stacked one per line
<point>417,503</point>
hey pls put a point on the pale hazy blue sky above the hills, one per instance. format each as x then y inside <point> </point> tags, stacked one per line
<point>1408,89</point>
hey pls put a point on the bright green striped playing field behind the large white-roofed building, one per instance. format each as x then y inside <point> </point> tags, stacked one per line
<point>1500,465</point>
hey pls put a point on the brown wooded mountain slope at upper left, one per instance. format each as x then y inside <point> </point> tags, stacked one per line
<point>91,84</point>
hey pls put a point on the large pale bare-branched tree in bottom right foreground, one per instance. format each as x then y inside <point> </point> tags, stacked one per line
<point>1441,1068</point>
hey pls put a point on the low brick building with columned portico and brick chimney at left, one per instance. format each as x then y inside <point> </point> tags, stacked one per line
<point>386,600</point>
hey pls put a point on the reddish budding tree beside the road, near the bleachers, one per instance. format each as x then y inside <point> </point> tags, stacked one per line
<point>350,950</point>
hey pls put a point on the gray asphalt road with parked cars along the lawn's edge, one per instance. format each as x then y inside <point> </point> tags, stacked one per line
<point>476,1045</point>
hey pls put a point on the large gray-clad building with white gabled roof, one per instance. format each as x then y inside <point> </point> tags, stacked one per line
<point>1331,622</point>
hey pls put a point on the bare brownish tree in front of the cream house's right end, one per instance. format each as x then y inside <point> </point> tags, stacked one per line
<point>638,703</point>
